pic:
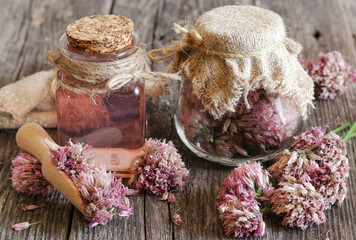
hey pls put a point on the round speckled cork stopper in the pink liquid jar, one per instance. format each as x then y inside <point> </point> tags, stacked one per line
<point>100,33</point>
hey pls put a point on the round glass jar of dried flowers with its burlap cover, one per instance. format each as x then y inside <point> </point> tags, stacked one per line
<point>244,93</point>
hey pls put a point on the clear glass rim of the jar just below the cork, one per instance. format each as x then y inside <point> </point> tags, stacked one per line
<point>73,53</point>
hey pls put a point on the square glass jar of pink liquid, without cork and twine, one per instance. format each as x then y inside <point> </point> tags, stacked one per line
<point>113,119</point>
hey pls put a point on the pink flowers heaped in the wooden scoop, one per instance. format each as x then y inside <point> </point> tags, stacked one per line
<point>103,195</point>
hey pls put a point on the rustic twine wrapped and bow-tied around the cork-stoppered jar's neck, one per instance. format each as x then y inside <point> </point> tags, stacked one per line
<point>101,77</point>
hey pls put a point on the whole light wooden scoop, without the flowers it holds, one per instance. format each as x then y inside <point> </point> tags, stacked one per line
<point>31,139</point>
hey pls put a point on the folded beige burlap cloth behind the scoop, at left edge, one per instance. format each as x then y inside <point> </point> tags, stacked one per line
<point>29,100</point>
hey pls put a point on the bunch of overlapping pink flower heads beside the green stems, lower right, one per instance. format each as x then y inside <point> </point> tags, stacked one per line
<point>320,165</point>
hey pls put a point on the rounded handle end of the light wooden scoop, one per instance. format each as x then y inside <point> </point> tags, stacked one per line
<point>32,138</point>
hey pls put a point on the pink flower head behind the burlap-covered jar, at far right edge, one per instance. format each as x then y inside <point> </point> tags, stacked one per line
<point>332,75</point>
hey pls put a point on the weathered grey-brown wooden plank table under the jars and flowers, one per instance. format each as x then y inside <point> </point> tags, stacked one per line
<point>29,28</point>
